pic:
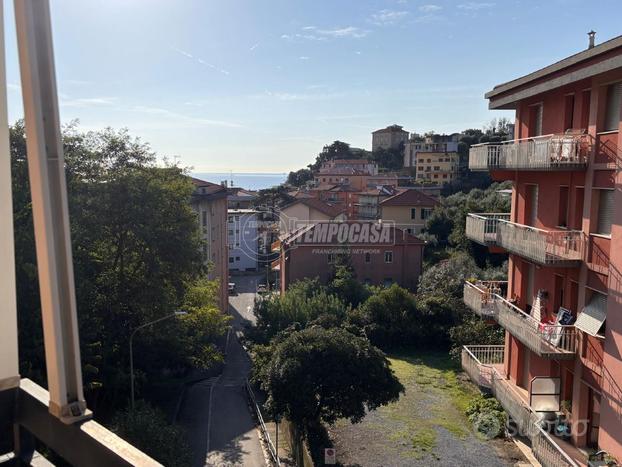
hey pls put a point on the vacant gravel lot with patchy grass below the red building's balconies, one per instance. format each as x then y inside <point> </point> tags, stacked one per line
<point>425,427</point>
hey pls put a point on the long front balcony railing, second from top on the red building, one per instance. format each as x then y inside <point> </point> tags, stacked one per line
<point>546,247</point>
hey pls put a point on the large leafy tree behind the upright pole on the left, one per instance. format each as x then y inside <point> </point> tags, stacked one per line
<point>135,242</point>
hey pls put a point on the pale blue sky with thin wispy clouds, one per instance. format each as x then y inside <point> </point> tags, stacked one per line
<point>262,85</point>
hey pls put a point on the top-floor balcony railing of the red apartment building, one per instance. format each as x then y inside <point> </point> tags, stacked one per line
<point>550,152</point>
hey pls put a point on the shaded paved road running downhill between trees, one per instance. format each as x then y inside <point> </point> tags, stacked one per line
<point>216,412</point>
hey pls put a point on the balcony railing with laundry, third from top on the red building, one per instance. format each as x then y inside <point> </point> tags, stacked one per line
<point>547,340</point>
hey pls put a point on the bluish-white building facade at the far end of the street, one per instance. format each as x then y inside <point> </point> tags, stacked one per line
<point>243,239</point>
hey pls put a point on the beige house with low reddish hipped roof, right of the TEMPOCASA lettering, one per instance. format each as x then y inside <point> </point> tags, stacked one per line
<point>408,209</point>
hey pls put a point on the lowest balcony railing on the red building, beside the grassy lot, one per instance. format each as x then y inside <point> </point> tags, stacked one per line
<point>480,363</point>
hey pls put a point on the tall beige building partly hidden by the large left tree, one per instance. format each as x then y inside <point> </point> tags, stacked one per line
<point>209,200</point>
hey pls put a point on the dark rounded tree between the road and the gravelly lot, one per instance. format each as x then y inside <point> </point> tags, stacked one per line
<point>311,375</point>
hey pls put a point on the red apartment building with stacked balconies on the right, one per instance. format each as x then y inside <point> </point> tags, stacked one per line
<point>562,305</point>
